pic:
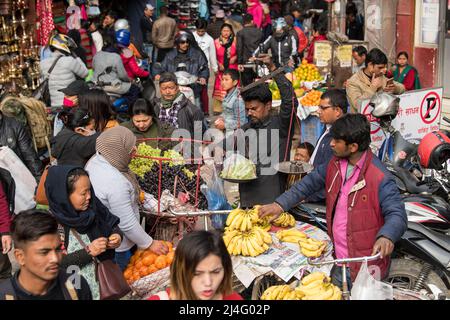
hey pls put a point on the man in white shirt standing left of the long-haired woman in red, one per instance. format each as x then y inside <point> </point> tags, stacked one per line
<point>206,43</point>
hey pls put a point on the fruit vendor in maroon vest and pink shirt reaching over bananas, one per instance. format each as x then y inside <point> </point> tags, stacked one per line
<point>365,213</point>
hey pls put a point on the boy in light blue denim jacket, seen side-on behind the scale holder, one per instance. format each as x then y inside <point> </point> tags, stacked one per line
<point>233,115</point>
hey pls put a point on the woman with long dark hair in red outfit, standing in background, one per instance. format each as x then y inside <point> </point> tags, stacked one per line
<point>226,59</point>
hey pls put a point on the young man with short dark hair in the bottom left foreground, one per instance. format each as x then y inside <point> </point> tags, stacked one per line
<point>37,249</point>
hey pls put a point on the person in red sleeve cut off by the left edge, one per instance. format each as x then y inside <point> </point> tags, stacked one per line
<point>6,240</point>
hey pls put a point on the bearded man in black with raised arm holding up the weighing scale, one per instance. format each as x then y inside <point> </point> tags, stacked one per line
<point>277,132</point>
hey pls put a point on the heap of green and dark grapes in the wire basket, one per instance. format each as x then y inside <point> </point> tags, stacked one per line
<point>147,171</point>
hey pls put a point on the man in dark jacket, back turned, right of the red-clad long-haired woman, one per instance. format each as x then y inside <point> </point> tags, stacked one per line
<point>247,41</point>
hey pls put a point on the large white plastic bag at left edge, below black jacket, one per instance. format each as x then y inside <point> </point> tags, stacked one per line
<point>25,182</point>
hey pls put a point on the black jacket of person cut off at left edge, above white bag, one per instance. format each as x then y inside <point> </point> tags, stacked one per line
<point>14,135</point>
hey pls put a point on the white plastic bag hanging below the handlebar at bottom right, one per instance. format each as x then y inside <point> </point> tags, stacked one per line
<point>366,287</point>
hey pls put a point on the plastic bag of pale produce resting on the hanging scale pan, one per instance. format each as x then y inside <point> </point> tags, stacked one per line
<point>238,167</point>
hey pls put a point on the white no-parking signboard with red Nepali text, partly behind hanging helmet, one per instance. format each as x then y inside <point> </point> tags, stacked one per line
<point>419,113</point>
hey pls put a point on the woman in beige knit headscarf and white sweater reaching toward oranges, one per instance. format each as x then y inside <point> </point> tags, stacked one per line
<point>117,188</point>
